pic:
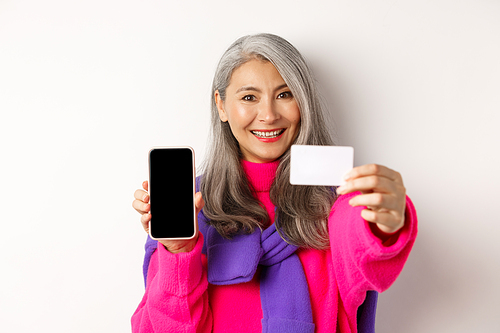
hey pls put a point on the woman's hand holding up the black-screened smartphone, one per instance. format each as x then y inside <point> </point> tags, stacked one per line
<point>141,205</point>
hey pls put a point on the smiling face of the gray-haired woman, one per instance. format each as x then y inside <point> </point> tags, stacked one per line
<point>262,113</point>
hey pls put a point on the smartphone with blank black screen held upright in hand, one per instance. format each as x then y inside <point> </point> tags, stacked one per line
<point>171,193</point>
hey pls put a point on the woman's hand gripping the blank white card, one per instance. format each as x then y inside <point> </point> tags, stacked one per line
<point>383,193</point>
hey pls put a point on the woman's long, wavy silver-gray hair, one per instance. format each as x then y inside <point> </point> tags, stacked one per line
<point>302,211</point>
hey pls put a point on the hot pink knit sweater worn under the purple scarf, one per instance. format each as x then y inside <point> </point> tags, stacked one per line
<point>178,297</point>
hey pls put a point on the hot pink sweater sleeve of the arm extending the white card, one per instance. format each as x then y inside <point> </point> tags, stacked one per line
<point>361,261</point>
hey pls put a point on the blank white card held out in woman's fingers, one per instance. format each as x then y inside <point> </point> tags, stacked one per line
<point>320,165</point>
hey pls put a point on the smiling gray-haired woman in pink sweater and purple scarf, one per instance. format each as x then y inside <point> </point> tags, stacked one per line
<point>270,256</point>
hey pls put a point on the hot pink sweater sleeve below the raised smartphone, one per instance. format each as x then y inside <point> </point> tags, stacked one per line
<point>176,297</point>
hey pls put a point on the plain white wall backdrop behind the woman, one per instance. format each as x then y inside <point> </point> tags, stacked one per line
<point>86,87</point>
